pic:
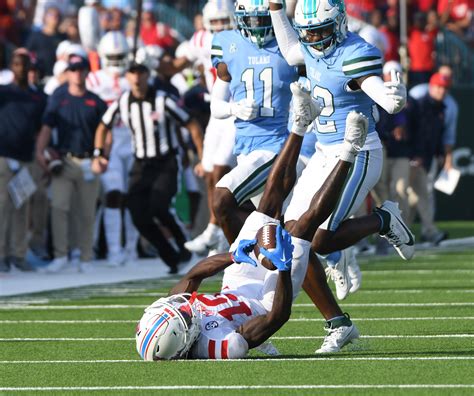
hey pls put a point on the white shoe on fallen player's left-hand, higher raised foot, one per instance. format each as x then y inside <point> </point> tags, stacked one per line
<point>305,109</point>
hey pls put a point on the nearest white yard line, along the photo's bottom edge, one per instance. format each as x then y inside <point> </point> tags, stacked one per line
<point>236,387</point>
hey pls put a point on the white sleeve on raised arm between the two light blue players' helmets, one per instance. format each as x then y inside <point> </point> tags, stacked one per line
<point>287,38</point>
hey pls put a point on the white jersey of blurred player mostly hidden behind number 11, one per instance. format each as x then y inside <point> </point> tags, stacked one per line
<point>200,46</point>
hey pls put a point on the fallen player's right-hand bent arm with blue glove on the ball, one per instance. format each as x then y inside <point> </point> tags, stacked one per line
<point>258,330</point>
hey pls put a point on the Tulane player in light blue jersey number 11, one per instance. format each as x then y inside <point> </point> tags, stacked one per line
<point>253,84</point>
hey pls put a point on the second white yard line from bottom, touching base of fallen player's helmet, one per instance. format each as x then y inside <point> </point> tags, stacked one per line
<point>273,359</point>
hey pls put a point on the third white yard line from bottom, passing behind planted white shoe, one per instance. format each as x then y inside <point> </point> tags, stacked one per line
<point>287,338</point>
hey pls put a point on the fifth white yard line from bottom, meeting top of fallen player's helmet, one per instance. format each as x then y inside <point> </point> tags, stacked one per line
<point>121,306</point>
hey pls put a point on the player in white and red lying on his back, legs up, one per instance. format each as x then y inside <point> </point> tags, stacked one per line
<point>244,315</point>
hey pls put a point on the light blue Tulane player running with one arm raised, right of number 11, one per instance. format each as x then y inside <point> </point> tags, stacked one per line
<point>345,75</point>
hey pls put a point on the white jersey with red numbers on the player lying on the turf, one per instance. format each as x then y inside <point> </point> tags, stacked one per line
<point>222,315</point>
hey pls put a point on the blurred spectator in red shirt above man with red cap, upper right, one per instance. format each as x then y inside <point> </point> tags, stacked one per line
<point>421,49</point>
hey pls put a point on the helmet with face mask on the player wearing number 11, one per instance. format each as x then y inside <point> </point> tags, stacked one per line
<point>254,22</point>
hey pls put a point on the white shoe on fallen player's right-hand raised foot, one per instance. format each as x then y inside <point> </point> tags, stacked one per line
<point>357,126</point>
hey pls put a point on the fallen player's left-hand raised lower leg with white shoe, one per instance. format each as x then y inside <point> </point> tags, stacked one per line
<point>283,174</point>
